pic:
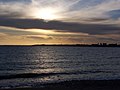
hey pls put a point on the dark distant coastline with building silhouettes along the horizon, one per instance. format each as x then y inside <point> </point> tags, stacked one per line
<point>73,45</point>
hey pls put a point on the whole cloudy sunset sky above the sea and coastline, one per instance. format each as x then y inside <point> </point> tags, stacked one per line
<point>26,22</point>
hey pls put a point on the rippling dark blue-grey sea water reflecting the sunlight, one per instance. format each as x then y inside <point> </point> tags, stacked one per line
<point>35,66</point>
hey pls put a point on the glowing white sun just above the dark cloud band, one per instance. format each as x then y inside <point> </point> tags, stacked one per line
<point>46,14</point>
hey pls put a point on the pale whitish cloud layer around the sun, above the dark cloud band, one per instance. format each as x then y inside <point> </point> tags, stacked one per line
<point>67,10</point>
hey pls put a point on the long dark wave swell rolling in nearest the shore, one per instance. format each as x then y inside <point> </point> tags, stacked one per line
<point>36,75</point>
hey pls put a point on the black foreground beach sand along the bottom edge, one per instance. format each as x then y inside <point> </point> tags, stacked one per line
<point>80,85</point>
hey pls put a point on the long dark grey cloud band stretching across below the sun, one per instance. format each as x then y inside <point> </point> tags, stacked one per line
<point>60,26</point>
